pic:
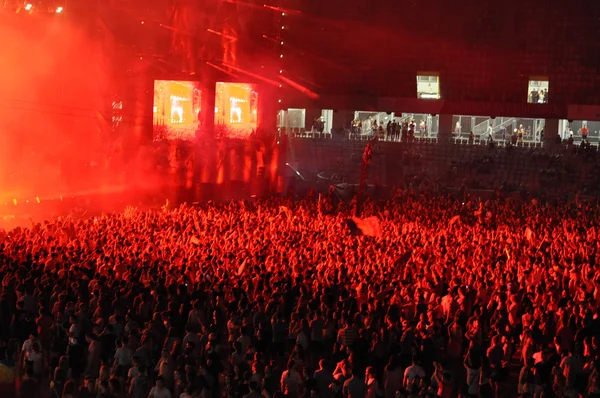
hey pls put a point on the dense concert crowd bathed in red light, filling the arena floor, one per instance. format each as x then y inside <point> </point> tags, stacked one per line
<point>275,298</point>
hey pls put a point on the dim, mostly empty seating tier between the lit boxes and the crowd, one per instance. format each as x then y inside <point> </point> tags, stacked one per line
<point>524,166</point>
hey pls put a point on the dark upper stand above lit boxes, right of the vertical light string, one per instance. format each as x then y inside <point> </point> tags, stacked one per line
<point>482,50</point>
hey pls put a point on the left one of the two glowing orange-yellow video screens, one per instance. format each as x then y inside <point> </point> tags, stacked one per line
<point>177,105</point>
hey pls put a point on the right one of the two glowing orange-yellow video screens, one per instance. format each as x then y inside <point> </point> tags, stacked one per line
<point>236,109</point>
